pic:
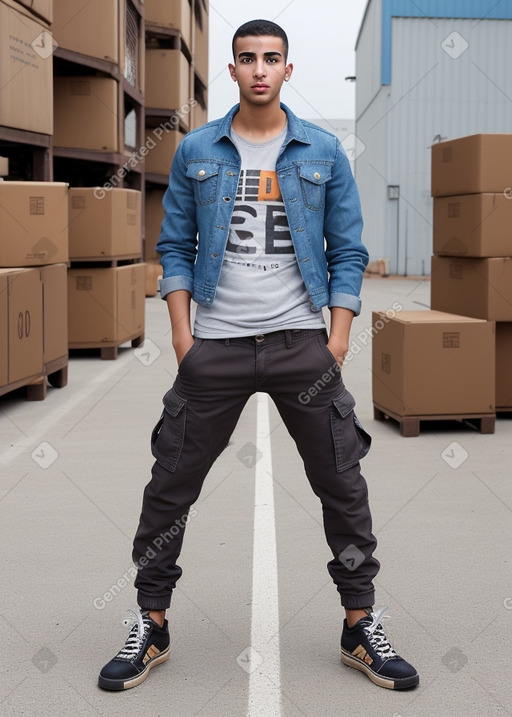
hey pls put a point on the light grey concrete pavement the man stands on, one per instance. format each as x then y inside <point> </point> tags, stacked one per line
<point>72,473</point>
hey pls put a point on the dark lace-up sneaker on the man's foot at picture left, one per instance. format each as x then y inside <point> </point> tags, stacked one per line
<point>147,645</point>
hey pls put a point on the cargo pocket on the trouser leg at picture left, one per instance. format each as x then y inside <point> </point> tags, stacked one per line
<point>169,433</point>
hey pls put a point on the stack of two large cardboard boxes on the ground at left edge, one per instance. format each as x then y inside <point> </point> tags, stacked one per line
<point>33,291</point>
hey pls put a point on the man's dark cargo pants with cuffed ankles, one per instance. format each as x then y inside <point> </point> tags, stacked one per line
<point>214,382</point>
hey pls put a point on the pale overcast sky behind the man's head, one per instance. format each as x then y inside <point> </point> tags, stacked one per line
<point>322,36</point>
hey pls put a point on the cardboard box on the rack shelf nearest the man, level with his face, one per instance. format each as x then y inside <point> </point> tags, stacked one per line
<point>167,79</point>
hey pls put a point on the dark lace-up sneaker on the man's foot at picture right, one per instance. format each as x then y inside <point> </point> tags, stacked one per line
<point>366,647</point>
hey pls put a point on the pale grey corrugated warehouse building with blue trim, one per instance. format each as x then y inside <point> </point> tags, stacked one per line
<point>426,72</point>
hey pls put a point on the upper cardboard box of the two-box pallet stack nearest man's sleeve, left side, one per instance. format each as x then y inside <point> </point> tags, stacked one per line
<point>104,224</point>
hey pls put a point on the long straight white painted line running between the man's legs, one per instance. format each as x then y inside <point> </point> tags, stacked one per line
<point>265,674</point>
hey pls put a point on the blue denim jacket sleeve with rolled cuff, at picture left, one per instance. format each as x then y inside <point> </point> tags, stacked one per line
<point>177,244</point>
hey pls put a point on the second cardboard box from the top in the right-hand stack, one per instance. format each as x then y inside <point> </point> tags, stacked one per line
<point>477,225</point>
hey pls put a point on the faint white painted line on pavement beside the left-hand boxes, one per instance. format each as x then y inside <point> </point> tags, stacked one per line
<point>72,401</point>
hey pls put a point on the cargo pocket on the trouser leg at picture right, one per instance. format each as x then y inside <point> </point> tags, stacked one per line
<point>351,441</point>
